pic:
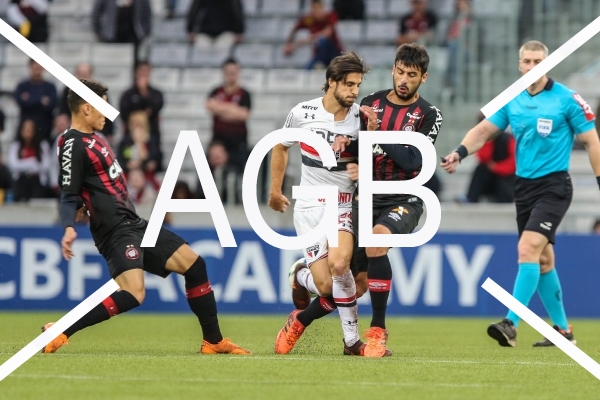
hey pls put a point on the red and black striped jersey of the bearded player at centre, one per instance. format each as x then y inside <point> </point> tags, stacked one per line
<point>419,116</point>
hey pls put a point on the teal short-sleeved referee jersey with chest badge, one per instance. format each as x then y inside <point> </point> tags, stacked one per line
<point>544,126</point>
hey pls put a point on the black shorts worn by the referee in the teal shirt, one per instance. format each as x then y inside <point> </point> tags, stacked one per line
<point>542,203</point>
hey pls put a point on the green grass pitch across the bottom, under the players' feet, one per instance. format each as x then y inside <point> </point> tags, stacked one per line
<point>151,356</point>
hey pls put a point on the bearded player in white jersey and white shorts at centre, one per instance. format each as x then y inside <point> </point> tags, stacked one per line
<point>329,116</point>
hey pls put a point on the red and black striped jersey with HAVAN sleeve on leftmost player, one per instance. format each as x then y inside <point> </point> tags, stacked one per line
<point>89,169</point>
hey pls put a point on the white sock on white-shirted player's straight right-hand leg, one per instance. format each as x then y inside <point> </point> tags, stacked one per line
<point>344,295</point>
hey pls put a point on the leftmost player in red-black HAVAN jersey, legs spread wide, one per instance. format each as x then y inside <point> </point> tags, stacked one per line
<point>90,173</point>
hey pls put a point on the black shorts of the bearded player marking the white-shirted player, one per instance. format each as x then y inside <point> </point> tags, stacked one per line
<point>397,222</point>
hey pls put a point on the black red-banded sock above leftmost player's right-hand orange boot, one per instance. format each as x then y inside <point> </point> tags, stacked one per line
<point>202,301</point>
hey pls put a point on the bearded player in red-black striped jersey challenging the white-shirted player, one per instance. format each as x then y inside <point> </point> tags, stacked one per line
<point>397,109</point>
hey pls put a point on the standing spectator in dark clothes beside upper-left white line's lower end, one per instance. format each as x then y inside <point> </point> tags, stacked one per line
<point>143,97</point>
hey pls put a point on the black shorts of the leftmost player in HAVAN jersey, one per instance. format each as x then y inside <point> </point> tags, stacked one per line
<point>122,250</point>
